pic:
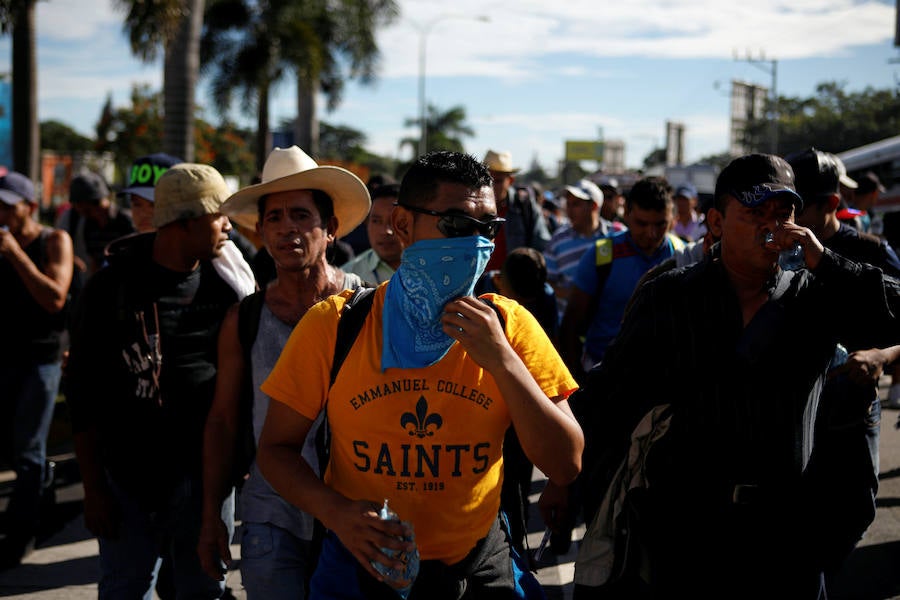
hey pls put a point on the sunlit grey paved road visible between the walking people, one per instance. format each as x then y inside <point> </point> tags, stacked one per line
<point>64,566</point>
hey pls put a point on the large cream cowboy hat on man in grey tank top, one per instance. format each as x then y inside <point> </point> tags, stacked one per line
<point>292,169</point>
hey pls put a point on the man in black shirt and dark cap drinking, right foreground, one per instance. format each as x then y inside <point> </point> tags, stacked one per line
<point>737,498</point>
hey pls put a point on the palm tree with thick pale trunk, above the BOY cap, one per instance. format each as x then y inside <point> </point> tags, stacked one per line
<point>174,26</point>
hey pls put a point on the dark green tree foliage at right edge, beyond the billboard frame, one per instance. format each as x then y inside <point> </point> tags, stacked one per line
<point>832,120</point>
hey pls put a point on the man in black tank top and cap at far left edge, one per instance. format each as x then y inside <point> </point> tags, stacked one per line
<point>35,272</point>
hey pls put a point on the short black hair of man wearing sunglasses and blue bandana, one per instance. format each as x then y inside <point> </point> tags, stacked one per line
<point>421,181</point>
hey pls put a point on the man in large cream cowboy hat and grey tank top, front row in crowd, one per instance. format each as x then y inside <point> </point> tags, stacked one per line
<point>301,208</point>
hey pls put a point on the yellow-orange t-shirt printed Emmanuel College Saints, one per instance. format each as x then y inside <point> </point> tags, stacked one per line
<point>429,440</point>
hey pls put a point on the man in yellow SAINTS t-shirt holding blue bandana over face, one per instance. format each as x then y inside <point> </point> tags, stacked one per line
<point>419,411</point>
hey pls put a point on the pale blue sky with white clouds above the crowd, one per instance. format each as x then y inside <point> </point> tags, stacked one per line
<point>535,74</point>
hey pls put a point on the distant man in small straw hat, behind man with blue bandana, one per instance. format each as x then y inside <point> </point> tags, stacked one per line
<point>525,225</point>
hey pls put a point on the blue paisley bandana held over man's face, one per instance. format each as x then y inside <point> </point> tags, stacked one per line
<point>431,273</point>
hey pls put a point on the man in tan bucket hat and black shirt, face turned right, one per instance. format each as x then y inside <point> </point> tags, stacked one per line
<point>142,371</point>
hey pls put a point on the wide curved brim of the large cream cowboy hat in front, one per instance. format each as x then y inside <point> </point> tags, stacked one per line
<point>347,191</point>
